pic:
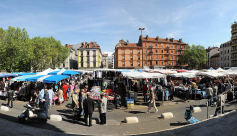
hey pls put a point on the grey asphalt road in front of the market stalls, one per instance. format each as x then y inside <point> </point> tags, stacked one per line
<point>148,123</point>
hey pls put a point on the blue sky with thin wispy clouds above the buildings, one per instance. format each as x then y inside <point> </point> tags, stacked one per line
<point>206,22</point>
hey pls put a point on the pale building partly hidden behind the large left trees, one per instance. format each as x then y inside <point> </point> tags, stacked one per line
<point>71,61</point>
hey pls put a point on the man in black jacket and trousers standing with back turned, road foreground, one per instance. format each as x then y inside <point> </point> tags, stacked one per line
<point>88,105</point>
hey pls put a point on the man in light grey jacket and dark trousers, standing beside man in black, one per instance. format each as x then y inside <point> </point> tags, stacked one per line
<point>103,109</point>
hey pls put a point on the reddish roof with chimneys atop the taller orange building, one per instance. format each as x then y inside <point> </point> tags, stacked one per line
<point>166,40</point>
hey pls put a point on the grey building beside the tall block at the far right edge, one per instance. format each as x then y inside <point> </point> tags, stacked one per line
<point>225,55</point>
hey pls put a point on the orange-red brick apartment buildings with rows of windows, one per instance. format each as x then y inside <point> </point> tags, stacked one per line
<point>149,52</point>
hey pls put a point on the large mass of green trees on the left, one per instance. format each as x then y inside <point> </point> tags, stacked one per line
<point>20,53</point>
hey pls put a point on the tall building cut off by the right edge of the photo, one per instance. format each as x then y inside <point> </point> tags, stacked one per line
<point>234,45</point>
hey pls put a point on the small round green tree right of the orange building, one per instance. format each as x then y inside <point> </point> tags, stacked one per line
<point>193,56</point>
